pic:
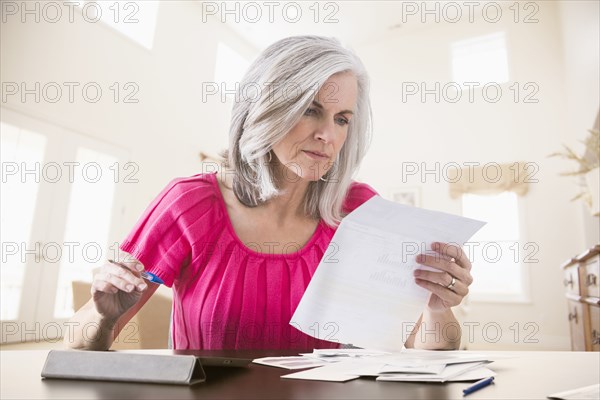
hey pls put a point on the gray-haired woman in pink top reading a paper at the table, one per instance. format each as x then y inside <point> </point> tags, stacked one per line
<point>239,247</point>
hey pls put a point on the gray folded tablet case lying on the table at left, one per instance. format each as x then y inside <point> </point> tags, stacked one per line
<point>123,367</point>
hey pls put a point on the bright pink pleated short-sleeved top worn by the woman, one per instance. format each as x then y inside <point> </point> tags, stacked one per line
<point>225,294</point>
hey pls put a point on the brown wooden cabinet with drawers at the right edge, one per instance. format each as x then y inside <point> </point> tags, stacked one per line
<point>581,280</point>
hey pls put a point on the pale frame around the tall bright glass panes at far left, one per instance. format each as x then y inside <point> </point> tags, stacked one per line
<point>35,319</point>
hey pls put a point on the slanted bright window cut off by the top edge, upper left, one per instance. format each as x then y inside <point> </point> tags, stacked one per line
<point>134,19</point>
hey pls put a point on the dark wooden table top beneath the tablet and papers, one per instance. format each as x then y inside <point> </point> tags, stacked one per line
<point>529,375</point>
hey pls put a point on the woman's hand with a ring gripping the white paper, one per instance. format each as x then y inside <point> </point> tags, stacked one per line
<point>454,267</point>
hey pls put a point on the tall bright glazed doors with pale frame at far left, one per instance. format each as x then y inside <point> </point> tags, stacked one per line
<point>61,203</point>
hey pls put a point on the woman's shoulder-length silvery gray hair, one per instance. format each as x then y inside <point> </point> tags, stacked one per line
<point>264,113</point>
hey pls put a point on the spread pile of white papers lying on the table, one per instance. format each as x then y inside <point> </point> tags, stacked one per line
<point>406,366</point>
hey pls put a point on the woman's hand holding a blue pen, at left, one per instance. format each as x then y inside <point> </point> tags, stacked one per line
<point>117,288</point>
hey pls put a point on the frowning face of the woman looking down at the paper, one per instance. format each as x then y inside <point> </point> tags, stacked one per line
<point>312,145</point>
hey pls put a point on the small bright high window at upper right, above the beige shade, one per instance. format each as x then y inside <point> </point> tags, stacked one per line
<point>481,60</point>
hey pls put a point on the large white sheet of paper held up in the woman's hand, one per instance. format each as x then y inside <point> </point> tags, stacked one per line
<point>363,291</point>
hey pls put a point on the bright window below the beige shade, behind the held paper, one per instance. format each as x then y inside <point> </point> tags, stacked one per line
<point>496,251</point>
